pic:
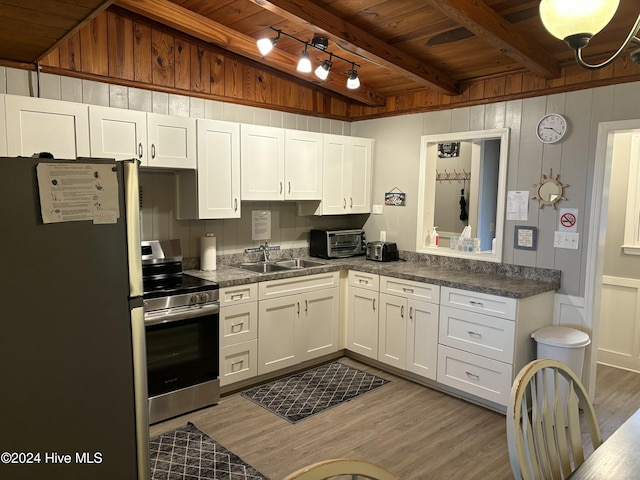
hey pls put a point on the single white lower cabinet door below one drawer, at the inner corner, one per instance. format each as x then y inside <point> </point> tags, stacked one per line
<point>362,322</point>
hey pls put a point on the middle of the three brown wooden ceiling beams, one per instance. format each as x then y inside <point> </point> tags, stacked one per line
<point>308,13</point>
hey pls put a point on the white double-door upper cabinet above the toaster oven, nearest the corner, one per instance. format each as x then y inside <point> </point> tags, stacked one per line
<point>347,164</point>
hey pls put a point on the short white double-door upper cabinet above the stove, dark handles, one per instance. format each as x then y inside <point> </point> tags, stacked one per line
<point>157,140</point>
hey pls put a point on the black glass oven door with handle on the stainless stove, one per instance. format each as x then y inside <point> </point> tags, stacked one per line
<point>182,348</point>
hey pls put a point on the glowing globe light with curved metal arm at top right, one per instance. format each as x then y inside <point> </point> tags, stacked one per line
<point>577,21</point>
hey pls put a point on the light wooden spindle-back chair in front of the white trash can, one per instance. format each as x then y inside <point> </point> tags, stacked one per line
<point>544,432</point>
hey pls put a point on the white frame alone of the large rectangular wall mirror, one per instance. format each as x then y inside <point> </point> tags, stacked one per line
<point>426,197</point>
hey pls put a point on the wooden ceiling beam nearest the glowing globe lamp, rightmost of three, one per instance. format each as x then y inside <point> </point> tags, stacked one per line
<point>482,20</point>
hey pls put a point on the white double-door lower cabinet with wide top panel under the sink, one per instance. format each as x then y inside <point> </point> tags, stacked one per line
<point>298,320</point>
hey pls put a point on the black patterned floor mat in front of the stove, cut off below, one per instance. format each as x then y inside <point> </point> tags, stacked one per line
<point>186,453</point>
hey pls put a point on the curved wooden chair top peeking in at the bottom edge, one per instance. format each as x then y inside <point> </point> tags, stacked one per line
<point>341,467</point>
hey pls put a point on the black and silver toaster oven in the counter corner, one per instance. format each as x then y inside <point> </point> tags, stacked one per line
<point>337,243</point>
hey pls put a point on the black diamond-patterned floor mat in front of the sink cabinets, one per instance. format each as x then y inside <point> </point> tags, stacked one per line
<point>304,394</point>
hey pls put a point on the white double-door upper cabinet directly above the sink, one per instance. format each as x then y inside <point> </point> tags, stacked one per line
<point>280,164</point>
